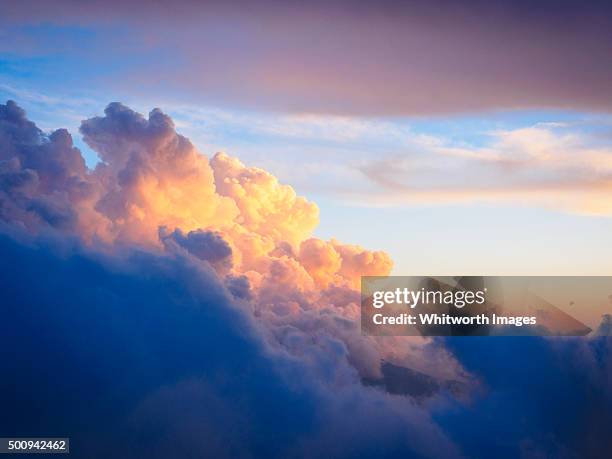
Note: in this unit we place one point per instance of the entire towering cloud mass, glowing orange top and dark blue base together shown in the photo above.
(185, 308)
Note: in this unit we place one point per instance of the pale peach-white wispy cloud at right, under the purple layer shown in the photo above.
(552, 166)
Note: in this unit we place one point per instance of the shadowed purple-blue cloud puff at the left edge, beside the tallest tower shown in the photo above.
(43, 177)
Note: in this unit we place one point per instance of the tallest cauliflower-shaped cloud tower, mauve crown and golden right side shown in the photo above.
(150, 176)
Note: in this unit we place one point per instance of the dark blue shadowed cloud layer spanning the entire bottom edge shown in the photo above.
(146, 355)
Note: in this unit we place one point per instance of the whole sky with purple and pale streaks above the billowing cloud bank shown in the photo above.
(484, 128)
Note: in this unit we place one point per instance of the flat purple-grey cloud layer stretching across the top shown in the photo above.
(388, 58)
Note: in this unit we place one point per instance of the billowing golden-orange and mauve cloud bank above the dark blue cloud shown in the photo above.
(154, 189)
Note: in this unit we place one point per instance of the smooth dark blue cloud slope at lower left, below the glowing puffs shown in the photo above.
(146, 354)
